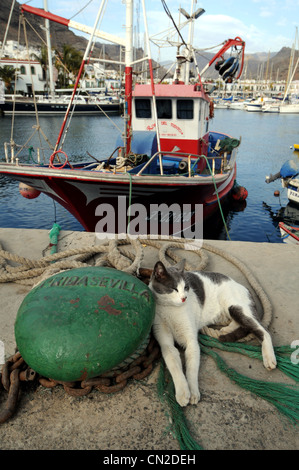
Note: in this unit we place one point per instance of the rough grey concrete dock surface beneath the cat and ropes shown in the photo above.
(227, 417)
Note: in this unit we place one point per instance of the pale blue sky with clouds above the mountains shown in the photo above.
(264, 25)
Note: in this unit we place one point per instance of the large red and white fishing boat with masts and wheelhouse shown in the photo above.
(170, 168)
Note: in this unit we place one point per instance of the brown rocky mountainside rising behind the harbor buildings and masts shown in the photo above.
(256, 65)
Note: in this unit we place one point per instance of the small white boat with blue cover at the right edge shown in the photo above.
(288, 174)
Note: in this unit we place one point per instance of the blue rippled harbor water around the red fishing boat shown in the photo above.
(267, 141)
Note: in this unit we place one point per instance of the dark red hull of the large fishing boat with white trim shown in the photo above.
(100, 201)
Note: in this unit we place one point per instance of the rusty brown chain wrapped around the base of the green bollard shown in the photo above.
(15, 371)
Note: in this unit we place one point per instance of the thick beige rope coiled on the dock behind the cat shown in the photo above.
(117, 253)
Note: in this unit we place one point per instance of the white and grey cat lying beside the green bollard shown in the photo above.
(188, 301)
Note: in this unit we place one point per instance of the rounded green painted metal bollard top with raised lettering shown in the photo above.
(83, 322)
